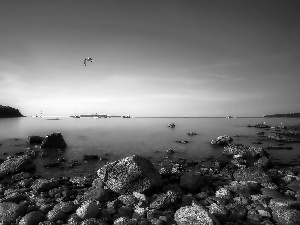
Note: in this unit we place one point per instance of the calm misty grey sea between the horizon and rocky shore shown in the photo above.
(120, 137)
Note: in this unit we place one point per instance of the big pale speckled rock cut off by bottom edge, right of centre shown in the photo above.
(194, 215)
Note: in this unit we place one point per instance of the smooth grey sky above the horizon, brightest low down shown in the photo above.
(151, 57)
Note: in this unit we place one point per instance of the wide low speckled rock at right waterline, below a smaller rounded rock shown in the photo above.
(243, 150)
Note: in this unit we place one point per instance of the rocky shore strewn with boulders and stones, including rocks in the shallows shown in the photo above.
(244, 187)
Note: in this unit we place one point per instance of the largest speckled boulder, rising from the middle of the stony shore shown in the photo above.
(134, 173)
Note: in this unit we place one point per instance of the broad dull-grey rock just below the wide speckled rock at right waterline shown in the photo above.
(255, 174)
